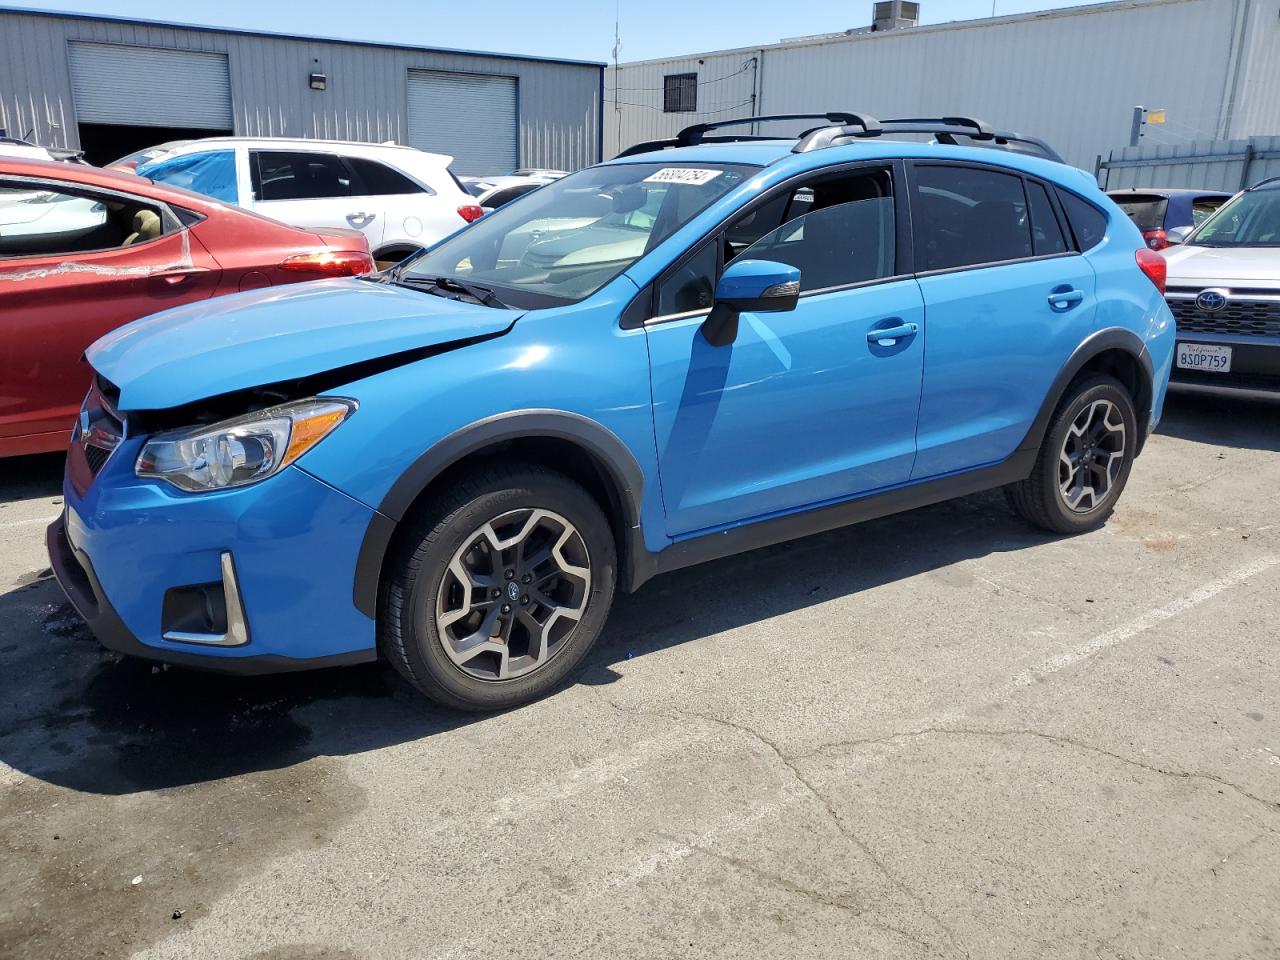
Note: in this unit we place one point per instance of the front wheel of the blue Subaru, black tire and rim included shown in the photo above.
(499, 589)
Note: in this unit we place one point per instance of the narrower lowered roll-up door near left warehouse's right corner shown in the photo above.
(468, 117)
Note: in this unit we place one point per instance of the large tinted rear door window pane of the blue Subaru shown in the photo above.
(964, 217)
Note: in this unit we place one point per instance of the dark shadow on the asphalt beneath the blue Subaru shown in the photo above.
(81, 717)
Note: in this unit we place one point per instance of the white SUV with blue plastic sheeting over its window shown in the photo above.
(400, 198)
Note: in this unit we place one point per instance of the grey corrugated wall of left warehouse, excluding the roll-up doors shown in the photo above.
(367, 97)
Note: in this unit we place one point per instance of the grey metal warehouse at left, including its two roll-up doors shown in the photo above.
(112, 86)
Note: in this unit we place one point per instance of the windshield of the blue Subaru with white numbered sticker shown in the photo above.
(565, 241)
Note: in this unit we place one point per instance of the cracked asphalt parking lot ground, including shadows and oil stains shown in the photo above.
(936, 735)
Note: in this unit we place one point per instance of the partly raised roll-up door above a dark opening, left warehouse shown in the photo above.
(148, 88)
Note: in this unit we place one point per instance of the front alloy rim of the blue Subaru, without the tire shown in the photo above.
(513, 593)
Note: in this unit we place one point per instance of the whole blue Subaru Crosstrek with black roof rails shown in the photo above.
(705, 346)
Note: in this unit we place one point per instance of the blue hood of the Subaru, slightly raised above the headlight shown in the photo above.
(282, 333)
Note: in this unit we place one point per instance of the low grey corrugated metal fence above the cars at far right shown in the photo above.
(1212, 164)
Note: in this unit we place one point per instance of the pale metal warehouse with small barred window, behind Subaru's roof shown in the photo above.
(1071, 76)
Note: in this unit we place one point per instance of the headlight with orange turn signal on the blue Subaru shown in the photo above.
(241, 451)
